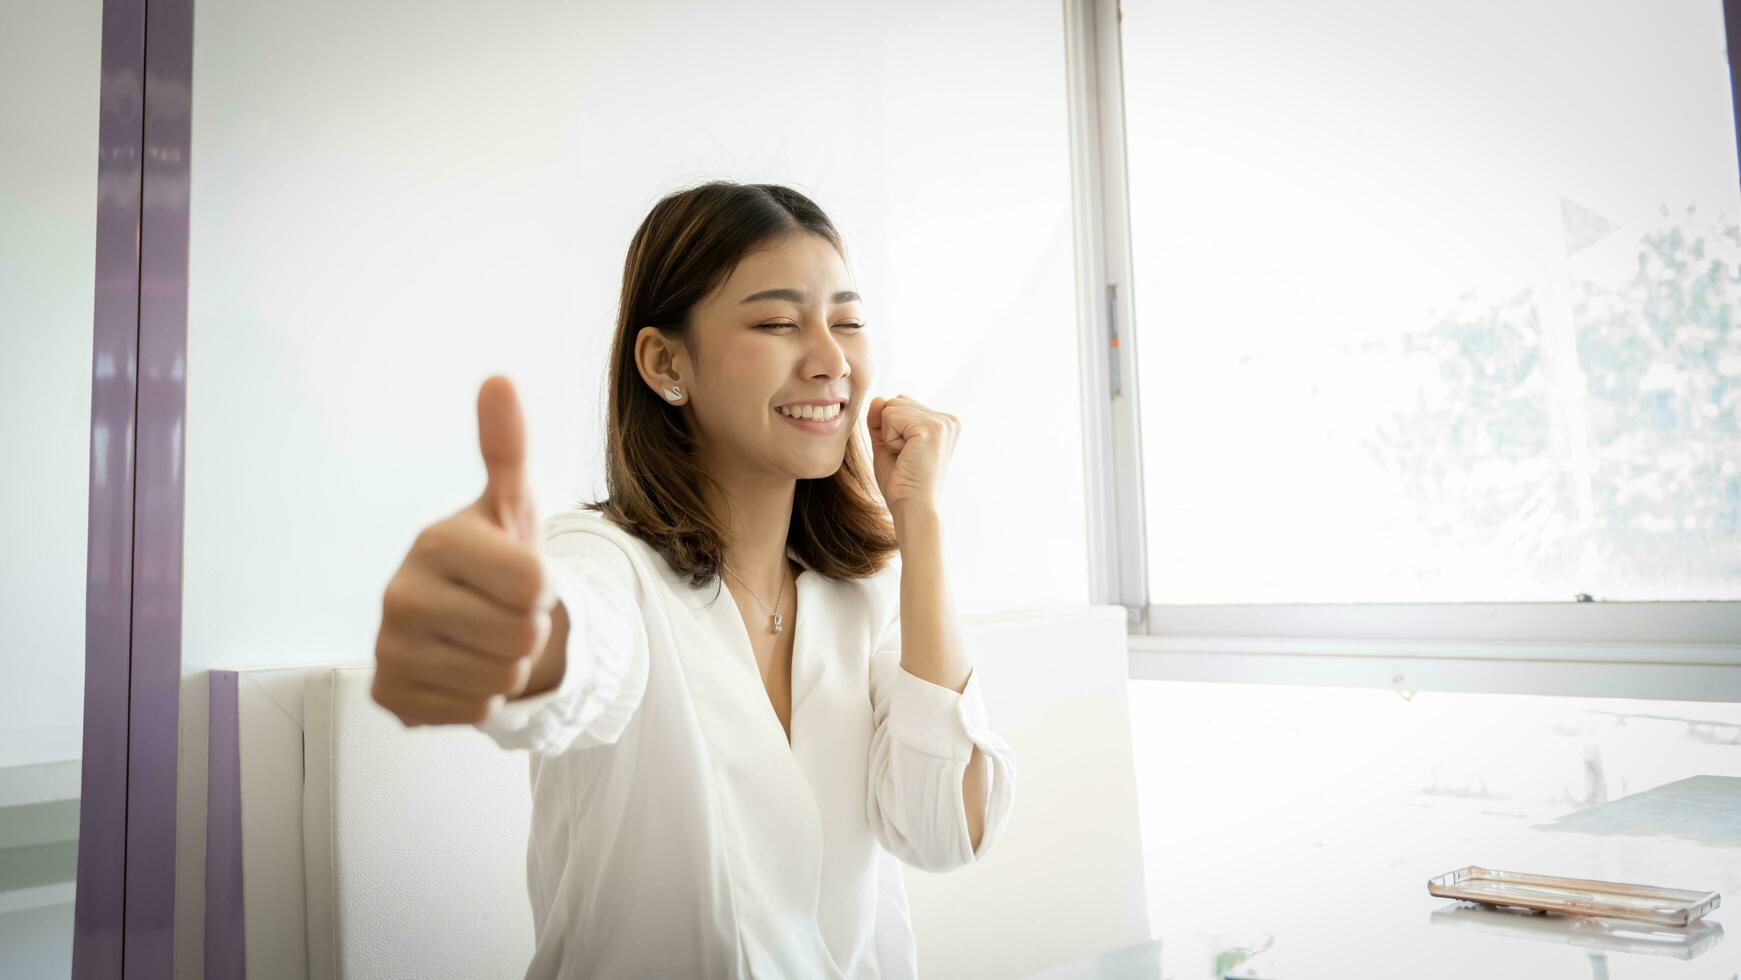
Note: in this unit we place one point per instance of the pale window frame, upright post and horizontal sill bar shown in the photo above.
(1578, 648)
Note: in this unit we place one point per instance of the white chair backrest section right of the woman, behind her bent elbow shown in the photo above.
(1066, 880)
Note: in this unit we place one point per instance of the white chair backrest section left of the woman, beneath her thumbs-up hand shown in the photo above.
(413, 842)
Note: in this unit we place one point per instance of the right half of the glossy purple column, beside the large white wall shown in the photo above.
(156, 683)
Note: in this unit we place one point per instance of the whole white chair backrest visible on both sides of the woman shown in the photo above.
(353, 868)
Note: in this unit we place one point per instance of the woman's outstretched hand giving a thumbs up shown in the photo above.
(469, 619)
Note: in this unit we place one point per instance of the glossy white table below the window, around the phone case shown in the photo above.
(1336, 885)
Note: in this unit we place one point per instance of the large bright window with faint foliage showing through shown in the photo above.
(1434, 326)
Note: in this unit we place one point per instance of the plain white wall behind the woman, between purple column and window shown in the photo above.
(394, 201)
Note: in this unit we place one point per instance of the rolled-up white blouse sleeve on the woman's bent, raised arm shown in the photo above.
(920, 749)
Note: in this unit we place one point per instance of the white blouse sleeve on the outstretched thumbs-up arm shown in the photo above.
(607, 671)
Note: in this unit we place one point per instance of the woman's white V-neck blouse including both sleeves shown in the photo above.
(676, 833)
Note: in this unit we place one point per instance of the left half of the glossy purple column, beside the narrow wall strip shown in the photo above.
(100, 896)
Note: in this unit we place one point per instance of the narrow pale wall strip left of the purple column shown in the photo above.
(50, 60)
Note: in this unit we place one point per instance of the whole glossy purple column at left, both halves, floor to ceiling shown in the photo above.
(124, 915)
